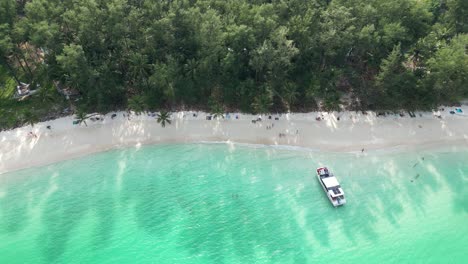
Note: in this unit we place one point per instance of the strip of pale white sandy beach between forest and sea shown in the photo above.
(351, 133)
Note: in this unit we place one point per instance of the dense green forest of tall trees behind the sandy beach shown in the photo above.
(248, 55)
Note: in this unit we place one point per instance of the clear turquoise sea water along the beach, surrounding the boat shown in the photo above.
(220, 203)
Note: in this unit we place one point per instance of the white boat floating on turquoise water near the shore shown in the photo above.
(331, 186)
